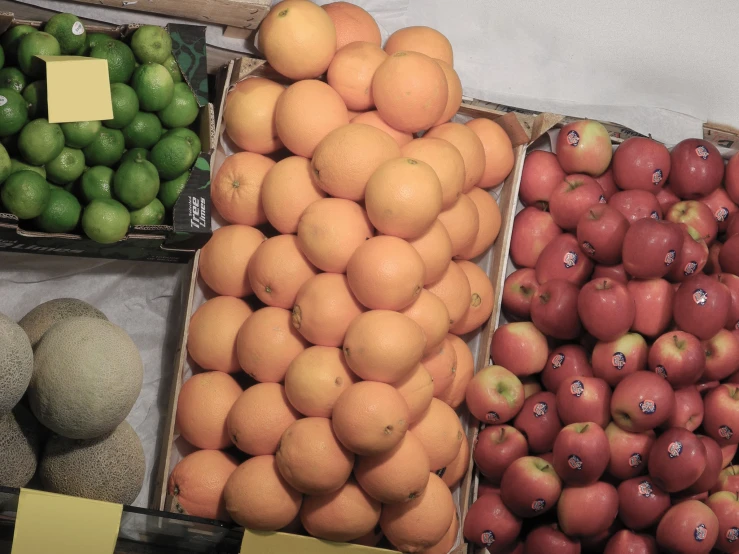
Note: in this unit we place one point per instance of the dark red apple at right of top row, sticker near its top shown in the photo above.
(697, 168)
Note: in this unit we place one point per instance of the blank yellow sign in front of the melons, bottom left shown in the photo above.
(53, 523)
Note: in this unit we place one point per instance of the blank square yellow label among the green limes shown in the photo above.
(78, 89)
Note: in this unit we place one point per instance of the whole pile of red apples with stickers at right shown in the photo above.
(611, 414)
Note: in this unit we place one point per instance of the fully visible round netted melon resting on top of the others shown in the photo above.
(86, 378)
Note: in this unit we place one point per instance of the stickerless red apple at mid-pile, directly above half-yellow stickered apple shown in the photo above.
(606, 309)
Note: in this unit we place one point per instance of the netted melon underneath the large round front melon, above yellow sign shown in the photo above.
(109, 468)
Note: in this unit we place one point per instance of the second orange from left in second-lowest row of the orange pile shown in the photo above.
(259, 417)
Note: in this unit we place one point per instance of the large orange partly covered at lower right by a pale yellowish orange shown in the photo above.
(345, 160)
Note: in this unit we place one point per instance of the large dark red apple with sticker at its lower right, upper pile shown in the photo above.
(650, 248)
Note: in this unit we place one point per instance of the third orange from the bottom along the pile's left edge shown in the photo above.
(211, 337)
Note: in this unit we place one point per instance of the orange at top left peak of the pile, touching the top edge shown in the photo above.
(298, 39)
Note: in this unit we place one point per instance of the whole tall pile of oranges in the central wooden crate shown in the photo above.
(347, 319)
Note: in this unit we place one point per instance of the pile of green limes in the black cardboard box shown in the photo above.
(125, 171)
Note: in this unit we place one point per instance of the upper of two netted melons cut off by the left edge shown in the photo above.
(16, 363)
